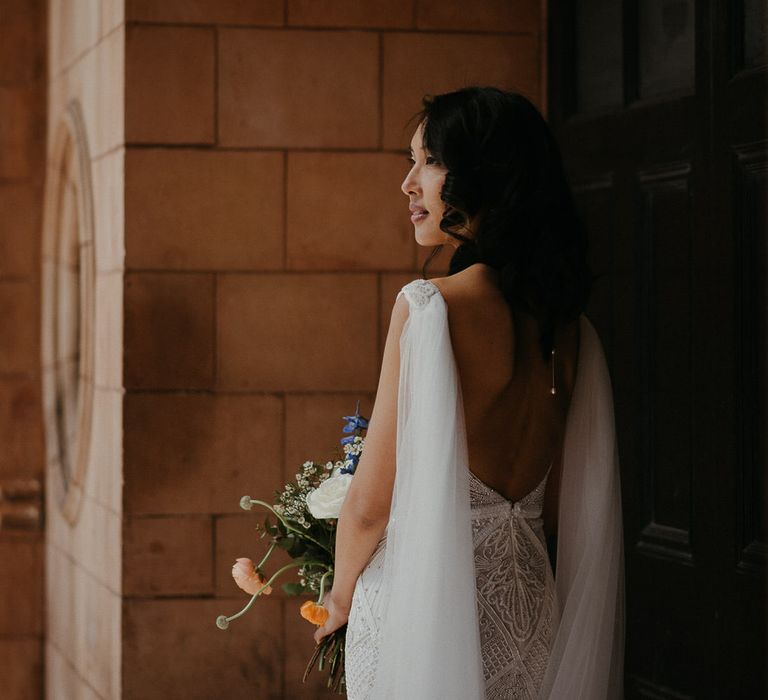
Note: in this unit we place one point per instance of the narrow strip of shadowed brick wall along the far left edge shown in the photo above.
(22, 166)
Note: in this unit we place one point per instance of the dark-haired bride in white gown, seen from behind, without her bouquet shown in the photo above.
(492, 428)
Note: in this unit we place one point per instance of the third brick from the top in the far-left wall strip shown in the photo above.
(20, 222)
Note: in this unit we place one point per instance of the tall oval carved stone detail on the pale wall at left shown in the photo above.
(68, 277)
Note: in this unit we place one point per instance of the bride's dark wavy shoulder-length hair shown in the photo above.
(504, 170)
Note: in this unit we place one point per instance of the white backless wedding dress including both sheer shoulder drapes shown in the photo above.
(458, 600)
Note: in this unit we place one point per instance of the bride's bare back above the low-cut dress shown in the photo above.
(515, 426)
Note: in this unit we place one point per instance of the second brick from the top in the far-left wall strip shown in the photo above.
(21, 128)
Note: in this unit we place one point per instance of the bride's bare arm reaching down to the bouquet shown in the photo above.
(365, 512)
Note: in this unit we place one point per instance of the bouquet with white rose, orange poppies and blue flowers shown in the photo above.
(302, 521)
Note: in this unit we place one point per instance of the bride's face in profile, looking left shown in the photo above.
(422, 186)
